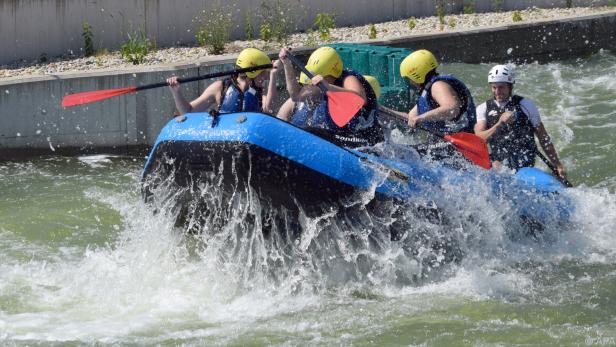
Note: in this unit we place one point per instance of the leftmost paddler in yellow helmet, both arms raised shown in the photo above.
(241, 92)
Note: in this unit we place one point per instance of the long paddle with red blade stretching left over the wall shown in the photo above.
(88, 97)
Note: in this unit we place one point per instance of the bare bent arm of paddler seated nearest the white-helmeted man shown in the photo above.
(448, 101)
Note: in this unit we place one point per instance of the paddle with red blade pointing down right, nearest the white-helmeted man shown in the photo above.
(471, 146)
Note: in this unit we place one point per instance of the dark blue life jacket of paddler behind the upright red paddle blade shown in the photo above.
(362, 130)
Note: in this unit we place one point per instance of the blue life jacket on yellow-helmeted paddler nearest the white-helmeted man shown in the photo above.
(467, 118)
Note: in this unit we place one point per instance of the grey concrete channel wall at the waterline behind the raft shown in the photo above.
(33, 122)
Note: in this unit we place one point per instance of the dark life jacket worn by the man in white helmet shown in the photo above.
(513, 143)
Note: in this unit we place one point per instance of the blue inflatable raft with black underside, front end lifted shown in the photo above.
(289, 167)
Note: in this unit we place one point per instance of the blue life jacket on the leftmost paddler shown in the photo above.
(234, 100)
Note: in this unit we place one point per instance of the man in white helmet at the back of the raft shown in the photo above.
(509, 123)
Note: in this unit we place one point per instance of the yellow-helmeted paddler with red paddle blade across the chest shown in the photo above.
(307, 106)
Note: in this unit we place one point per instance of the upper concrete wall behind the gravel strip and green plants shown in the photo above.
(31, 28)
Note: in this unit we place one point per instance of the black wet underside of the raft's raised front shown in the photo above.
(232, 166)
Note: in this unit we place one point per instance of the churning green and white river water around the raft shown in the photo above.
(83, 261)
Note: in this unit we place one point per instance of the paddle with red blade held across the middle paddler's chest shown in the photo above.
(342, 105)
